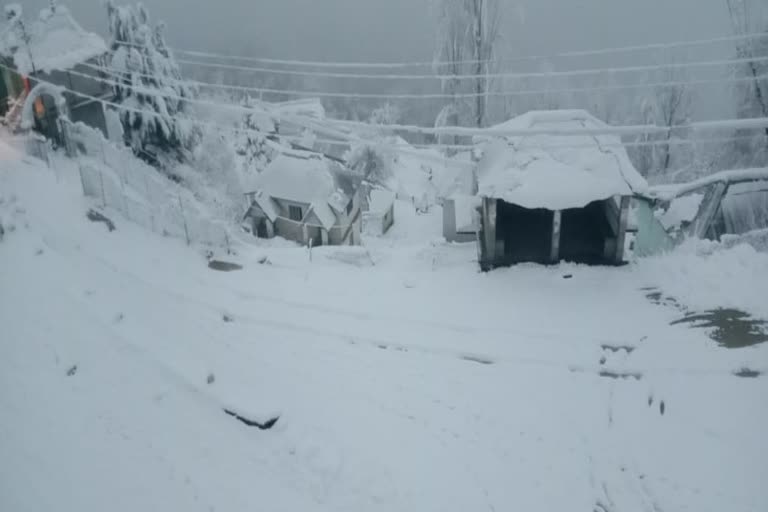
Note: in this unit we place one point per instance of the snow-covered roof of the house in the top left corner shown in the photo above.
(57, 41)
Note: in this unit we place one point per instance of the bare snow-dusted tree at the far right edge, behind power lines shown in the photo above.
(751, 91)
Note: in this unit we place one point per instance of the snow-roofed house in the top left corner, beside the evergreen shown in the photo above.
(55, 49)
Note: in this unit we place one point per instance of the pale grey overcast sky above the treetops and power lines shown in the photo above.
(397, 30)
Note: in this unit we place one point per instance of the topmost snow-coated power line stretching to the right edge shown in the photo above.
(400, 65)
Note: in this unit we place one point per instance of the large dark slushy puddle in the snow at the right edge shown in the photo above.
(731, 328)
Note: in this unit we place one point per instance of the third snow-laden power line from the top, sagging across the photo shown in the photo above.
(441, 96)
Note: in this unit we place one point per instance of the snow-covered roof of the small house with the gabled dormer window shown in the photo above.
(304, 177)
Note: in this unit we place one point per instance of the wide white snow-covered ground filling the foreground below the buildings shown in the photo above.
(402, 377)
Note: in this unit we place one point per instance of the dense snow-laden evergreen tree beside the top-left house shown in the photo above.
(151, 85)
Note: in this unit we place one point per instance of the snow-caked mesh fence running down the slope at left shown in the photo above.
(120, 181)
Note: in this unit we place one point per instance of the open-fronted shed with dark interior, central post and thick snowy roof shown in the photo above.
(554, 194)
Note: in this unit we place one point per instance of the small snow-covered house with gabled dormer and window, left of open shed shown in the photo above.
(305, 197)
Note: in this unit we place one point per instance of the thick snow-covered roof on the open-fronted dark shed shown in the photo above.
(556, 171)
